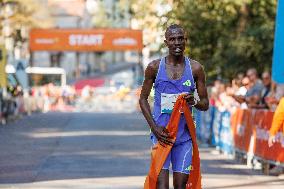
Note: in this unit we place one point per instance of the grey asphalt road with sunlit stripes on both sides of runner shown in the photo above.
(98, 150)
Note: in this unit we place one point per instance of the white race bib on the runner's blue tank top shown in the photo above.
(168, 102)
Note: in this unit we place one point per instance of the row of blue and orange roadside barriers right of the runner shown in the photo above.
(245, 131)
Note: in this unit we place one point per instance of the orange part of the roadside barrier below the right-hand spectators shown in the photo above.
(251, 132)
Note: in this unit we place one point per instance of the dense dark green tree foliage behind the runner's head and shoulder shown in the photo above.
(227, 36)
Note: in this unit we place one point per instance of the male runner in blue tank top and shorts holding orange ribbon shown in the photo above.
(173, 75)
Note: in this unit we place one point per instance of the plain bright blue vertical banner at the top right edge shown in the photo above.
(278, 53)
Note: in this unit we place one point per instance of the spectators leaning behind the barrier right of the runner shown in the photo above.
(246, 91)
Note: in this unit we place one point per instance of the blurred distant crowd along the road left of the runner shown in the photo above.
(18, 102)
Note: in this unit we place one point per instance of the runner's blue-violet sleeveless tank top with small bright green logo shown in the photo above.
(164, 85)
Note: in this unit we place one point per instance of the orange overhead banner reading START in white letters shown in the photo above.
(86, 40)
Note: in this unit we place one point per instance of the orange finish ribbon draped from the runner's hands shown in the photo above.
(160, 153)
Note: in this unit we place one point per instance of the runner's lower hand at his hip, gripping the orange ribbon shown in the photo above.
(163, 136)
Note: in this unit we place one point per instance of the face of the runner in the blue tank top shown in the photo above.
(175, 40)
